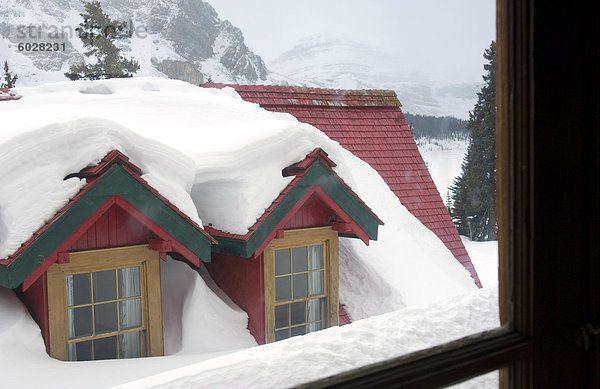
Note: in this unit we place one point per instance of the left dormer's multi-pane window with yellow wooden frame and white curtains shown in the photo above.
(105, 304)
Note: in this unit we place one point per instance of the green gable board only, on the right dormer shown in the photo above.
(317, 175)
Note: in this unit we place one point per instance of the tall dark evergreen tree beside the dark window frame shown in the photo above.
(474, 191)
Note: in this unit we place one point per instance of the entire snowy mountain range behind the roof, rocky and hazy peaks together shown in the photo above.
(186, 39)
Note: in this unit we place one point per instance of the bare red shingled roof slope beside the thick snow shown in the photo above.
(371, 125)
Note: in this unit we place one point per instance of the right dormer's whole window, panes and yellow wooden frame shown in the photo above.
(301, 288)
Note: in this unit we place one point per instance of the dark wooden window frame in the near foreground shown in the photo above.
(548, 177)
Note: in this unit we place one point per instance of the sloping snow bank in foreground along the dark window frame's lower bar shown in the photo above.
(317, 355)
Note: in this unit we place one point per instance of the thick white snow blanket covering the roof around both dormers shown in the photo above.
(215, 157)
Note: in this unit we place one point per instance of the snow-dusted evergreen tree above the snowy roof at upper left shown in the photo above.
(99, 33)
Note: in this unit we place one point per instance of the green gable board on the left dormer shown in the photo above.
(119, 182)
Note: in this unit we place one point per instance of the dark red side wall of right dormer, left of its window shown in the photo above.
(242, 280)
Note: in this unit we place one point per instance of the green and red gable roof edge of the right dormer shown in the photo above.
(313, 176)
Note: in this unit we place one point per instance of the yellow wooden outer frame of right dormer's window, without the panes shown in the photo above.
(299, 238)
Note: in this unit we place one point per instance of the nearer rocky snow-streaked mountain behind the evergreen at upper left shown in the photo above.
(177, 38)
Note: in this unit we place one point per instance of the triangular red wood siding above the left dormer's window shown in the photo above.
(113, 229)
